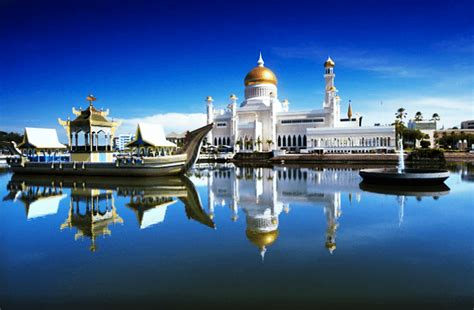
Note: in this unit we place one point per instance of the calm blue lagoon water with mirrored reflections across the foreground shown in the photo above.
(233, 237)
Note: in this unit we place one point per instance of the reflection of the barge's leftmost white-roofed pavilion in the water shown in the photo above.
(39, 200)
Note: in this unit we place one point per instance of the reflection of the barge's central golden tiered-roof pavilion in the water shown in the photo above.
(91, 212)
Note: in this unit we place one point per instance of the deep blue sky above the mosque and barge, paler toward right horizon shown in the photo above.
(142, 58)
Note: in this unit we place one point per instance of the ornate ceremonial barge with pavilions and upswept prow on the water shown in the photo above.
(90, 137)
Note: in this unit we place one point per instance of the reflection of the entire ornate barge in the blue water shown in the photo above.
(92, 210)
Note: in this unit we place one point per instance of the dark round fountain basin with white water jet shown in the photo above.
(404, 176)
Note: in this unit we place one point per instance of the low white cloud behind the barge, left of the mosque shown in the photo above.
(177, 122)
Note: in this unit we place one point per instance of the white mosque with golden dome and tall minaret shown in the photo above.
(261, 122)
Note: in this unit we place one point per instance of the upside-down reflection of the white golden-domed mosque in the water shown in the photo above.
(263, 194)
